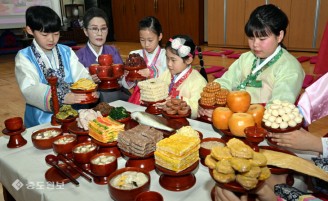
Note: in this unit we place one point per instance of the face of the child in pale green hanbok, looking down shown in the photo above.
(263, 47)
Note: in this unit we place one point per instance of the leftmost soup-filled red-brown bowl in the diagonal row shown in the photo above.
(45, 142)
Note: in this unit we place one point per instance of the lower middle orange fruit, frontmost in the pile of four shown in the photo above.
(238, 122)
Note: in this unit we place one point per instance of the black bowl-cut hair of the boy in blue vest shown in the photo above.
(42, 18)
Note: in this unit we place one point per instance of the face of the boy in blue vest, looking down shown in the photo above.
(47, 41)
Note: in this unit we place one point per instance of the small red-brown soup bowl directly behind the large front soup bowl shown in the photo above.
(104, 169)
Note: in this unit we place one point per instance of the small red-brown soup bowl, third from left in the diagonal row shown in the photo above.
(84, 157)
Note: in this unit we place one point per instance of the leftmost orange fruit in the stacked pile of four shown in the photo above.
(220, 118)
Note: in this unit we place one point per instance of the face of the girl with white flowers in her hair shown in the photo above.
(175, 63)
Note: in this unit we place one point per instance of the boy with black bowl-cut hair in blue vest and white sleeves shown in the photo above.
(42, 59)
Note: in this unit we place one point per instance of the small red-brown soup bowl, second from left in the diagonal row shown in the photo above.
(61, 147)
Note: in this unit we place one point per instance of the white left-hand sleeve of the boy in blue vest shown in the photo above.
(34, 91)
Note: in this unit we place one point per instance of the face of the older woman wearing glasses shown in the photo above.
(96, 31)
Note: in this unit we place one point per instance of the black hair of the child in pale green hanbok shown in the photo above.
(265, 20)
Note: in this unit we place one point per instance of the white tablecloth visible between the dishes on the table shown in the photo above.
(27, 165)
